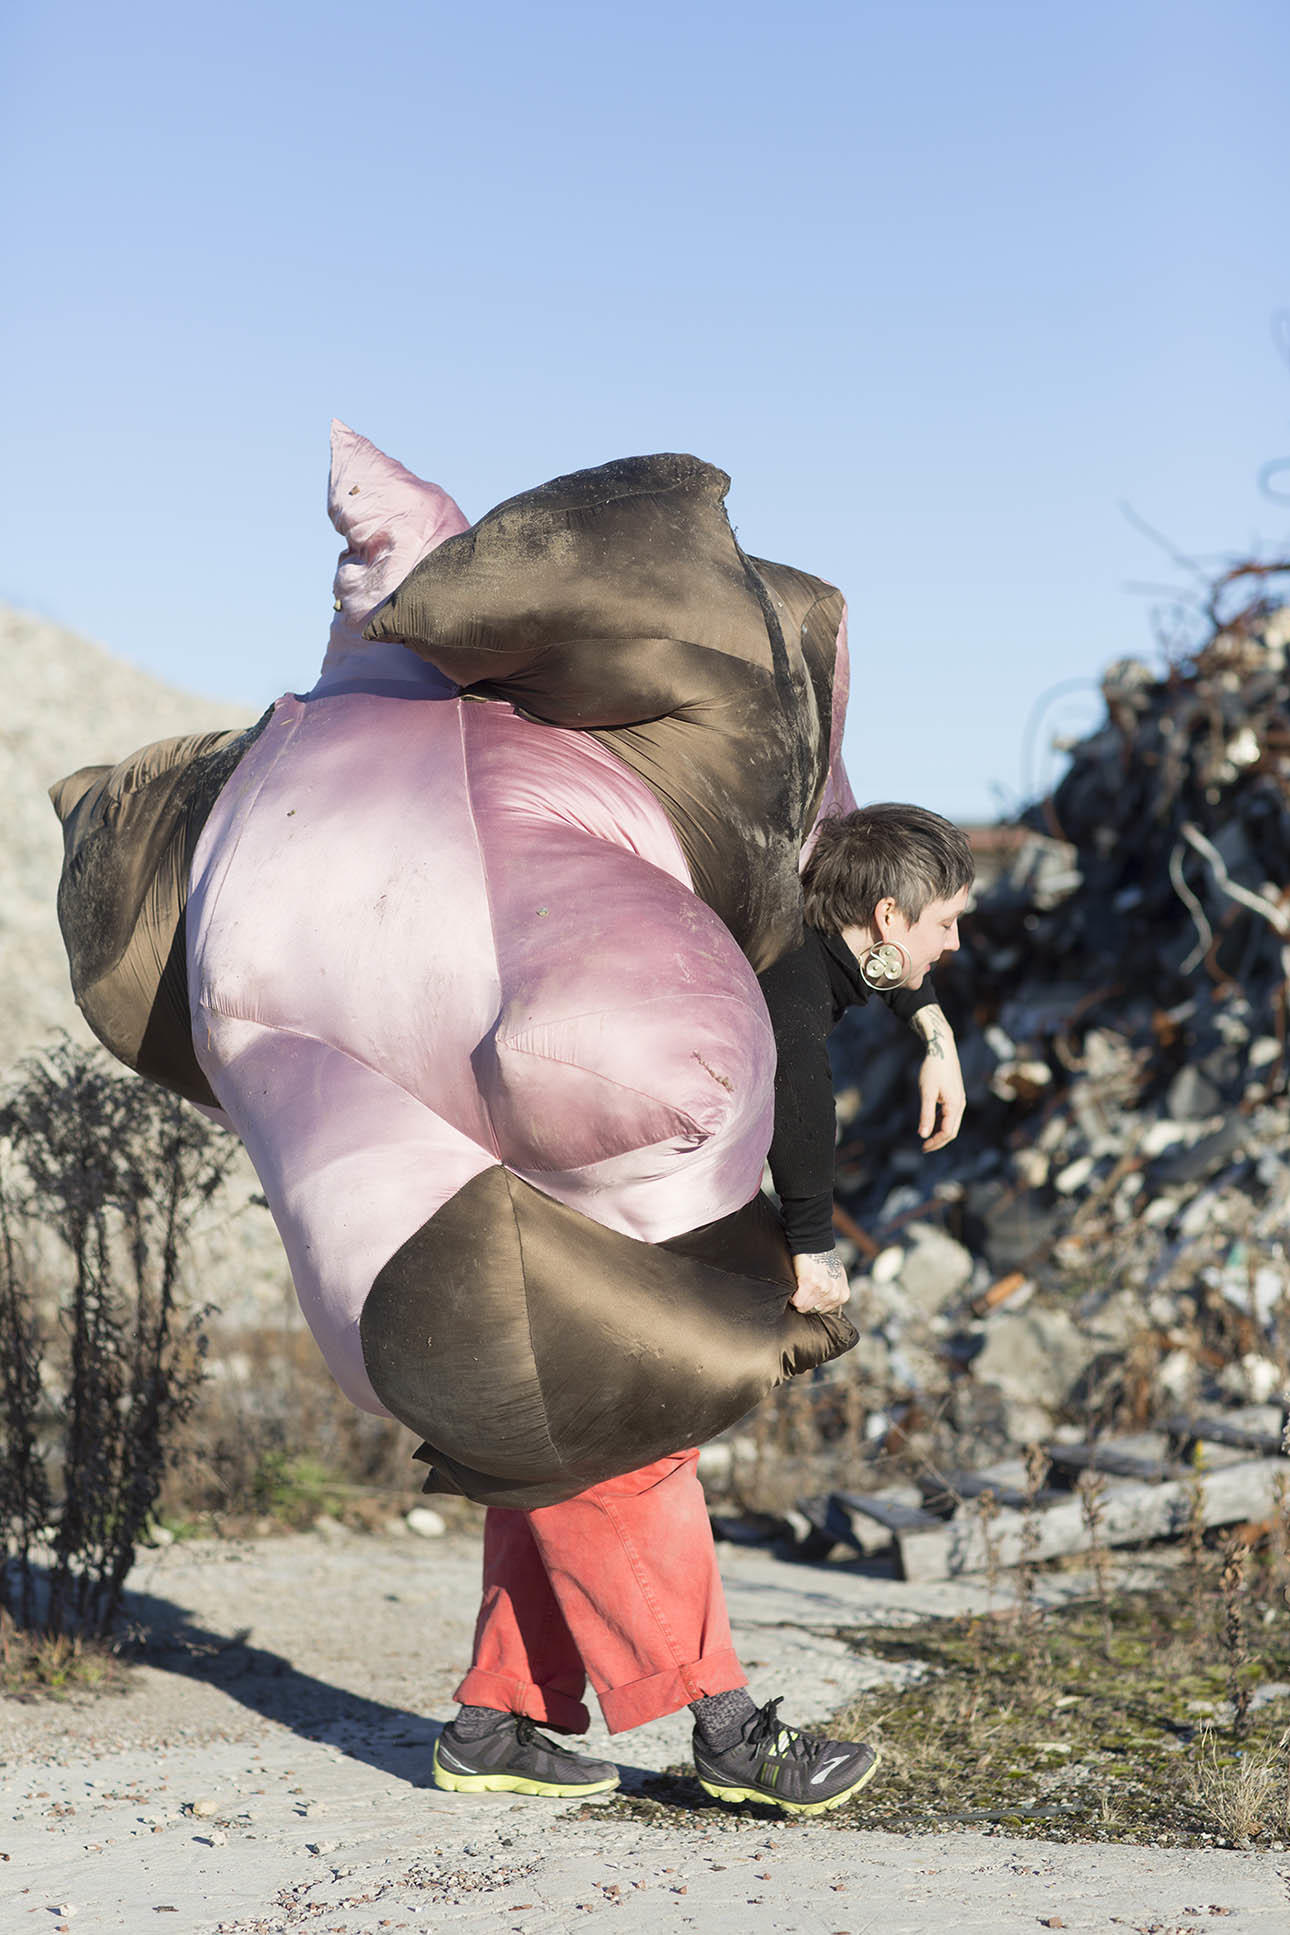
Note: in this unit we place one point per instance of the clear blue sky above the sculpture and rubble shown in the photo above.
(941, 285)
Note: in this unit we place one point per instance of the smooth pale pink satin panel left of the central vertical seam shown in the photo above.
(339, 893)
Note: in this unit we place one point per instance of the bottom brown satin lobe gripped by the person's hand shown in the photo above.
(541, 1354)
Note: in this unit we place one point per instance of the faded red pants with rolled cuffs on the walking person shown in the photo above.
(618, 1586)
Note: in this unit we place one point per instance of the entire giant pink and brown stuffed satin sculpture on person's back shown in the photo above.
(465, 945)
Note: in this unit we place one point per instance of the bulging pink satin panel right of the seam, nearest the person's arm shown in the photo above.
(631, 1067)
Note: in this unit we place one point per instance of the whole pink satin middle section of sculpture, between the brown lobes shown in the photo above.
(428, 936)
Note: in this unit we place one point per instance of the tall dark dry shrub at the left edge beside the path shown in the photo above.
(96, 1388)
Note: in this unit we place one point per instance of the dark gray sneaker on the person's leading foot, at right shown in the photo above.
(784, 1768)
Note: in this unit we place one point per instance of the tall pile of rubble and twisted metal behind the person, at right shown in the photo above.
(1109, 1239)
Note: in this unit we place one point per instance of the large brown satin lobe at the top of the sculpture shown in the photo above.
(618, 601)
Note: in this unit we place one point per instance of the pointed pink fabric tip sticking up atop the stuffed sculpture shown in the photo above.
(390, 520)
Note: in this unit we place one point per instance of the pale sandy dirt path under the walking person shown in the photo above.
(268, 1773)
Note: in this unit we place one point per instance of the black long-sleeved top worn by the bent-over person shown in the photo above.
(807, 994)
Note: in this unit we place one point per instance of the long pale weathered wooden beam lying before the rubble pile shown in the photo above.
(1130, 1514)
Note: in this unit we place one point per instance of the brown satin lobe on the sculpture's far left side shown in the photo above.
(129, 843)
